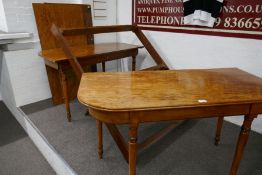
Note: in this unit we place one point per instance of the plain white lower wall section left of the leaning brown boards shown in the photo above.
(27, 76)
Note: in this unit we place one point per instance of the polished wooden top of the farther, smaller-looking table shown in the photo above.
(56, 55)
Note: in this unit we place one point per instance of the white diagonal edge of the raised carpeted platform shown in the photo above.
(59, 165)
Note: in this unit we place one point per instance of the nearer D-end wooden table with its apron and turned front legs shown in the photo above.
(175, 95)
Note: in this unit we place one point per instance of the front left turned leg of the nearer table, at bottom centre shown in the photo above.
(132, 148)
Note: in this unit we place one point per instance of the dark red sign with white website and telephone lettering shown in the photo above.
(239, 18)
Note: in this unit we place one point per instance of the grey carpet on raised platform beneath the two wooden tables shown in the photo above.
(187, 150)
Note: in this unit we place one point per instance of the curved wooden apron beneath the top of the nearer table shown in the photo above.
(123, 117)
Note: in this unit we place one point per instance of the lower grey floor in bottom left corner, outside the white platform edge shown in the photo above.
(18, 155)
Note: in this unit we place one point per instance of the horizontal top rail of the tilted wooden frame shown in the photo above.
(97, 29)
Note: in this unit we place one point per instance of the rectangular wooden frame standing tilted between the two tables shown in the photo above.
(79, 71)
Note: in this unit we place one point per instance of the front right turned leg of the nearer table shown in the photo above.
(242, 141)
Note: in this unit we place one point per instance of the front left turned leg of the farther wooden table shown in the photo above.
(63, 81)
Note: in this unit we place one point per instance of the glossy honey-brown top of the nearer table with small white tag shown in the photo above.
(127, 91)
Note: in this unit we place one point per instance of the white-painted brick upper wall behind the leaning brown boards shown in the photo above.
(20, 16)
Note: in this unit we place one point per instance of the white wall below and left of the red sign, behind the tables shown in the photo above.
(182, 51)
